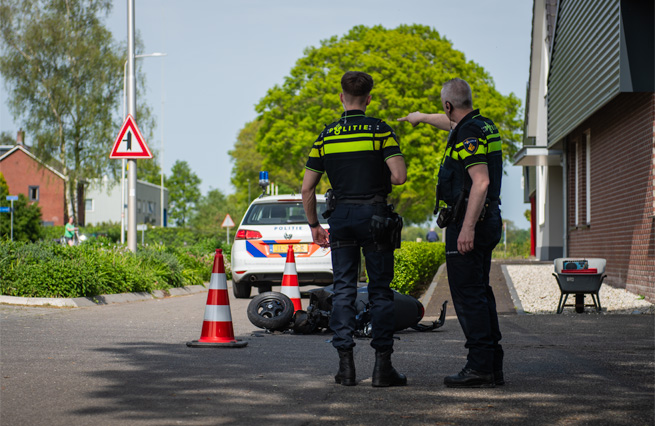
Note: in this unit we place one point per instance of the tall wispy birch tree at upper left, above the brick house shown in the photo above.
(65, 78)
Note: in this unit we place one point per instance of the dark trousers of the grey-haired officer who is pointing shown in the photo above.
(473, 298)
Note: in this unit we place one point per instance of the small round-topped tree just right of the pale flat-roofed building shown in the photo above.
(183, 192)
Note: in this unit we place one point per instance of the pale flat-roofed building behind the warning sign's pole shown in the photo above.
(103, 203)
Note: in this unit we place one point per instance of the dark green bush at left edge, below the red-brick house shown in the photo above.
(27, 217)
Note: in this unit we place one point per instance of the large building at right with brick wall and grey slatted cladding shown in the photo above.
(589, 140)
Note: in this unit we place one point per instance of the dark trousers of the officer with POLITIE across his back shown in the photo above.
(349, 225)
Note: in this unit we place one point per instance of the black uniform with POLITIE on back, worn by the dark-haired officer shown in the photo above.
(353, 152)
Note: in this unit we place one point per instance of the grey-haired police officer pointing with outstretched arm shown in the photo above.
(471, 173)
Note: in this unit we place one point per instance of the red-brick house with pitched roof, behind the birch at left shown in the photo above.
(25, 174)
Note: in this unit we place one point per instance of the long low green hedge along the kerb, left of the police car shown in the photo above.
(47, 269)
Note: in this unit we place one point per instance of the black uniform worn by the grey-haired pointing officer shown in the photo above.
(475, 140)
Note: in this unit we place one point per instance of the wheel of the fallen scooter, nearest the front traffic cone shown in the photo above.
(271, 311)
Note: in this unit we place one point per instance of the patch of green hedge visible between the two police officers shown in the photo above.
(416, 264)
